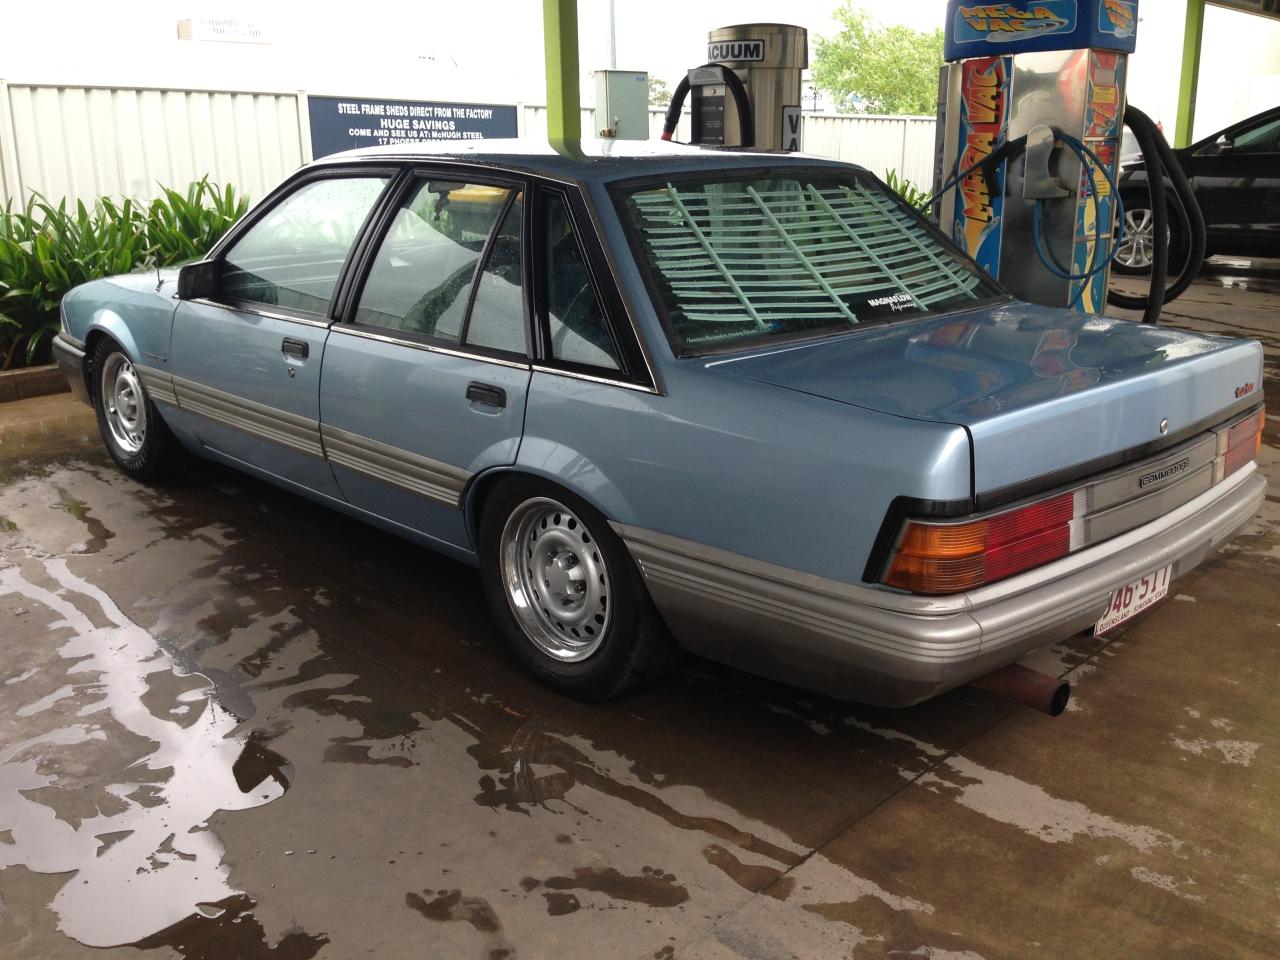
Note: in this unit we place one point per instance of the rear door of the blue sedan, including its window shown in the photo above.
(426, 378)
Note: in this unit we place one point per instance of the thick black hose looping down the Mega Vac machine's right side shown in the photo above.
(1162, 162)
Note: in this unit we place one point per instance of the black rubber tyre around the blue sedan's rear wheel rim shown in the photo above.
(632, 650)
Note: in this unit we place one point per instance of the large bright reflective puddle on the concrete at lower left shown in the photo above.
(143, 839)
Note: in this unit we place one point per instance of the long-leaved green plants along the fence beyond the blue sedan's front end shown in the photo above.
(48, 250)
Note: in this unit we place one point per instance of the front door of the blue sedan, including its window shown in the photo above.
(246, 364)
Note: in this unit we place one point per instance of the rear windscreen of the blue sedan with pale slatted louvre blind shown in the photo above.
(737, 262)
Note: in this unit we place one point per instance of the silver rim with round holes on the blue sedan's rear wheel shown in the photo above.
(556, 579)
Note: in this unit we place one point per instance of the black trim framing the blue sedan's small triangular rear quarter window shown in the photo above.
(634, 371)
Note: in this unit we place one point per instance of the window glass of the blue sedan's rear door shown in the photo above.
(422, 278)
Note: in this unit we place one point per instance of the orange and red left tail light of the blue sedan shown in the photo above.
(943, 559)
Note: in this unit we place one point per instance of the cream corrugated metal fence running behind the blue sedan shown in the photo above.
(84, 143)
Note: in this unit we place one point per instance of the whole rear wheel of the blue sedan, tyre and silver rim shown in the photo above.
(566, 595)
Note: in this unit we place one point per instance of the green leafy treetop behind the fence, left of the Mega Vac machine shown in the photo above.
(876, 70)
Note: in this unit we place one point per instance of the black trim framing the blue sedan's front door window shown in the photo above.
(348, 172)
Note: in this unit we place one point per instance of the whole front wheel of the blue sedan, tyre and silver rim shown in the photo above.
(136, 437)
